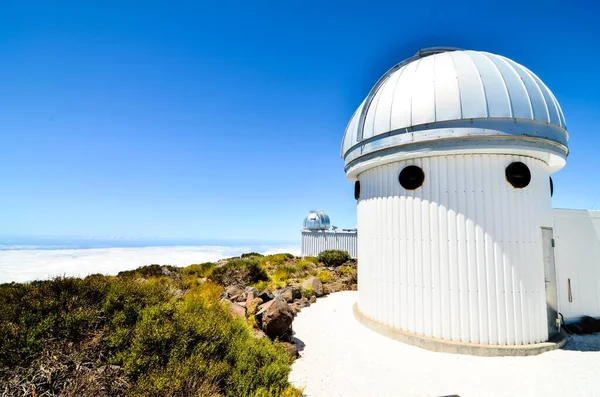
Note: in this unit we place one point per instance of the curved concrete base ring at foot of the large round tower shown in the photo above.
(440, 345)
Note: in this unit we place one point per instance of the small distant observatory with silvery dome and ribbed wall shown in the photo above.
(318, 236)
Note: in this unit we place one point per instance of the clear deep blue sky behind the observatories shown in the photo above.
(224, 119)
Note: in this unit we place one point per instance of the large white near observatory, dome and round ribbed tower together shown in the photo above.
(451, 154)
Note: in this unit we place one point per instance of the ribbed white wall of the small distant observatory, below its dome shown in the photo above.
(314, 242)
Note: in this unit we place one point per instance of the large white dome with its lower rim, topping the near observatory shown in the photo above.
(448, 100)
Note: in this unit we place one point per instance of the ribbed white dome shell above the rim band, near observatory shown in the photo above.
(452, 86)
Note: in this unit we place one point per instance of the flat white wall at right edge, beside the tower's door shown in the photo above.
(577, 252)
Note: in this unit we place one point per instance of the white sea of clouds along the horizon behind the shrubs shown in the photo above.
(23, 265)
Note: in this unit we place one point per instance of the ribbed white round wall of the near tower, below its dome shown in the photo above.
(459, 258)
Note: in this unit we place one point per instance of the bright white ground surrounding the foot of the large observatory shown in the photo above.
(343, 358)
